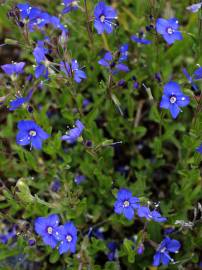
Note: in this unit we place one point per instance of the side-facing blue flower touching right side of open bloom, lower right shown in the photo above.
(144, 211)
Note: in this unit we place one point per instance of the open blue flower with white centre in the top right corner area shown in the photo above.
(169, 29)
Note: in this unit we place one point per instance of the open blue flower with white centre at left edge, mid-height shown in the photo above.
(30, 133)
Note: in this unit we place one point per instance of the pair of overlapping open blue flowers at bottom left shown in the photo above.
(64, 236)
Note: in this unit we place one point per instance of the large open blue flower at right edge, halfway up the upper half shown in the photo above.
(173, 98)
